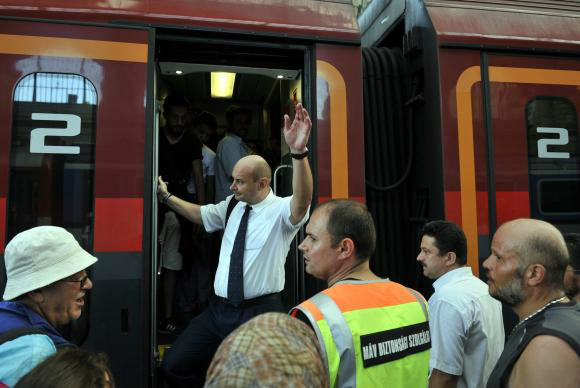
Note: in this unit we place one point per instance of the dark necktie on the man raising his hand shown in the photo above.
(236, 278)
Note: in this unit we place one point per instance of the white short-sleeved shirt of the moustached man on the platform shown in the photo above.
(466, 323)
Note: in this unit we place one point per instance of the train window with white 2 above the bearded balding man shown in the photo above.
(553, 156)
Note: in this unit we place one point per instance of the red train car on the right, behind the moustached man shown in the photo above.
(492, 95)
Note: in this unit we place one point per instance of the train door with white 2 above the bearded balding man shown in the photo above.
(533, 105)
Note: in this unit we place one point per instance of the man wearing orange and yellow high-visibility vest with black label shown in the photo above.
(373, 332)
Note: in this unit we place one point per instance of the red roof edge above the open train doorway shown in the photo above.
(309, 18)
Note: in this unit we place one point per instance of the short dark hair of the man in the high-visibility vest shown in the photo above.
(351, 219)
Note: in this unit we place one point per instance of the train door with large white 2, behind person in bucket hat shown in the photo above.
(72, 144)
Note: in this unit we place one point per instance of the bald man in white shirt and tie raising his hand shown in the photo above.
(272, 223)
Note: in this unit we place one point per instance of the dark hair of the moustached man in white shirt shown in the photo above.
(449, 237)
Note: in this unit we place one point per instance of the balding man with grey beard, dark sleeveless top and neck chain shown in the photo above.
(526, 270)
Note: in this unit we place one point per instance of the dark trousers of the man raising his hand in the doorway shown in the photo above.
(185, 364)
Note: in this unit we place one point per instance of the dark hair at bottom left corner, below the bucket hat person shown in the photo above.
(70, 368)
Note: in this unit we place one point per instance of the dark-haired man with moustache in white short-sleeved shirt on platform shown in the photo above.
(466, 323)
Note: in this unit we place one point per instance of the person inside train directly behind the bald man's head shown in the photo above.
(231, 148)
